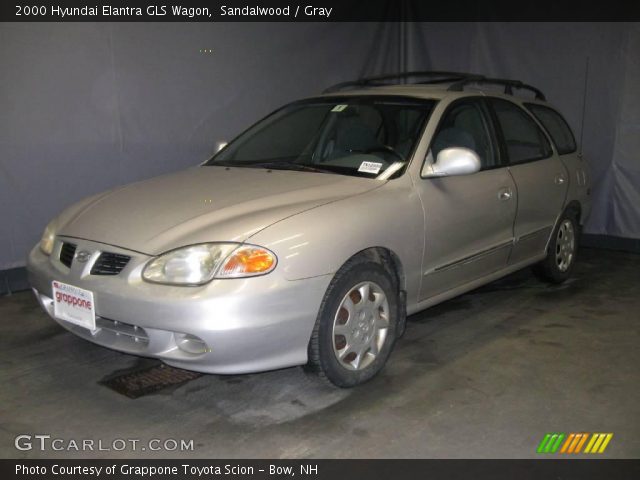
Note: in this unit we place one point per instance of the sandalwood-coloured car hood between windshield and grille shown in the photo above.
(202, 204)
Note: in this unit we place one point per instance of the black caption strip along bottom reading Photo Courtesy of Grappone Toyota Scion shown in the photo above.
(339, 469)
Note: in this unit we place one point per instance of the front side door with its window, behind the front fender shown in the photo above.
(468, 218)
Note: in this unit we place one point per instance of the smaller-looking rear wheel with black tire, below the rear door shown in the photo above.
(561, 255)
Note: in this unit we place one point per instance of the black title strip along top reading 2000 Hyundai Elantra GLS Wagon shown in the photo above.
(341, 11)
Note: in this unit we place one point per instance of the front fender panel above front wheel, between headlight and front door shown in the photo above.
(319, 241)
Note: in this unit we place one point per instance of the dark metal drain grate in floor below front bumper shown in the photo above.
(135, 384)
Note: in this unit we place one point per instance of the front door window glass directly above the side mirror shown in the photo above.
(465, 125)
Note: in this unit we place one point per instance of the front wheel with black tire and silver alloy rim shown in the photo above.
(325, 343)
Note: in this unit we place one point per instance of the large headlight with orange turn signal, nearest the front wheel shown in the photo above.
(202, 263)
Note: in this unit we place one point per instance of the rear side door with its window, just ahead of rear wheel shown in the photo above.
(539, 175)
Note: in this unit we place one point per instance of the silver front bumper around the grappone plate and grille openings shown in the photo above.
(226, 326)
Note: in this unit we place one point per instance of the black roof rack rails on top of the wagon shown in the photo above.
(457, 80)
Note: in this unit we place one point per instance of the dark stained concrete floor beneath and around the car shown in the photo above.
(483, 375)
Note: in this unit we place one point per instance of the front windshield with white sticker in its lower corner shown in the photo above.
(370, 137)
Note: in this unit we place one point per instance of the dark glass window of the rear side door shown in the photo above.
(524, 139)
